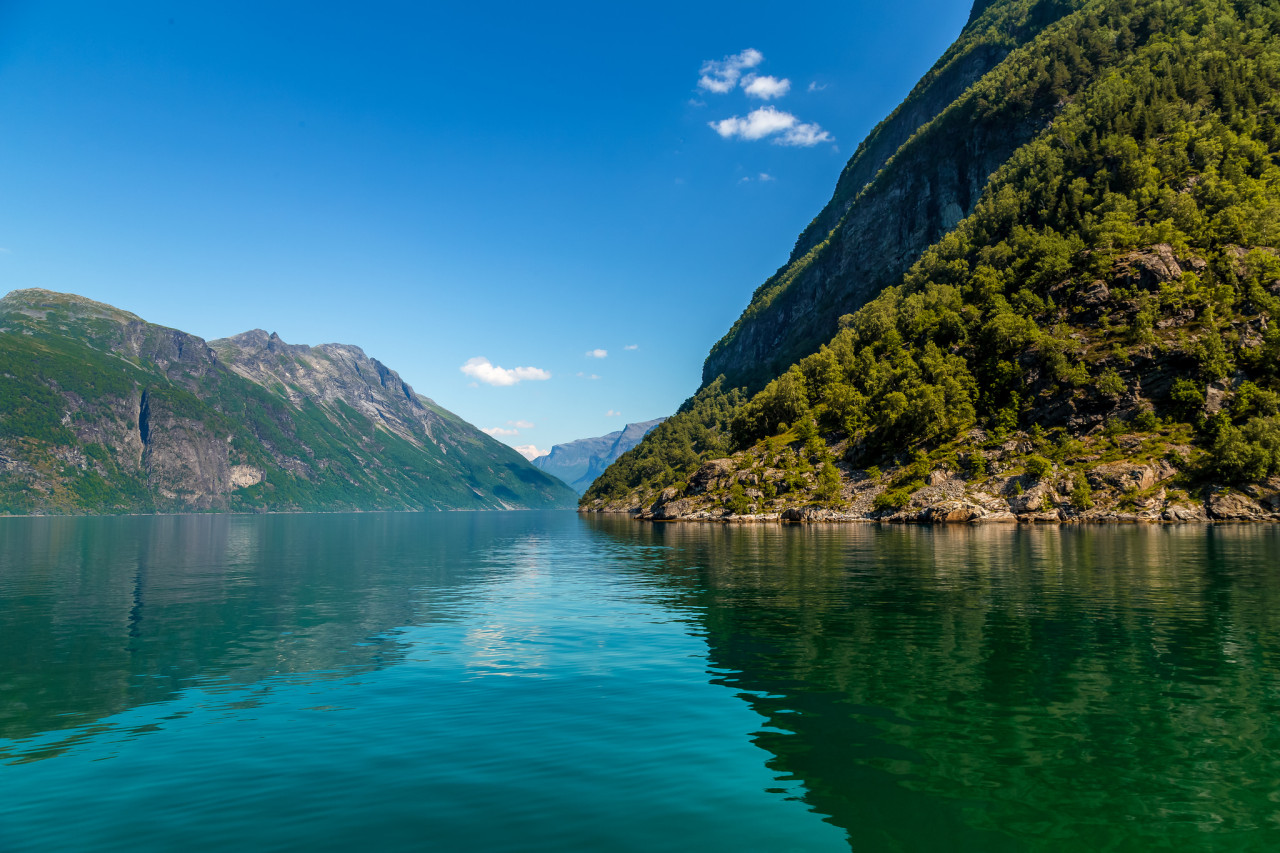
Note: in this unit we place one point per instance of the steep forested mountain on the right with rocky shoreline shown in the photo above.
(1045, 289)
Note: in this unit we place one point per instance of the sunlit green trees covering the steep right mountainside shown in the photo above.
(1116, 267)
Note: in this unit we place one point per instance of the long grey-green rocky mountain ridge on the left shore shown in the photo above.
(102, 412)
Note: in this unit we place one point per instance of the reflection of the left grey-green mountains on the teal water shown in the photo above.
(100, 615)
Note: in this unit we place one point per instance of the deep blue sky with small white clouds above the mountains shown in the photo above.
(541, 216)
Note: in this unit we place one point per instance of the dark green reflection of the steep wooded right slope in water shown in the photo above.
(985, 688)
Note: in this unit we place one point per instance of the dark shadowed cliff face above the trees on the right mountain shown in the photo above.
(895, 198)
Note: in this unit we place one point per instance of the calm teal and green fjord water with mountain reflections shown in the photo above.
(541, 682)
